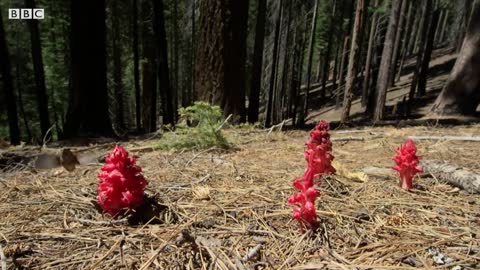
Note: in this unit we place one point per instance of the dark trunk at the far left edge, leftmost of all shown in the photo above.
(7, 84)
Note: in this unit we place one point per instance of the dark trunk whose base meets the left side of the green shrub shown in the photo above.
(162, 63)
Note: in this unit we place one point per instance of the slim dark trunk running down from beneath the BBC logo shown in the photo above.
(36, 47)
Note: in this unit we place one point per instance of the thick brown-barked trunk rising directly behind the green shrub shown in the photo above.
(220, 55)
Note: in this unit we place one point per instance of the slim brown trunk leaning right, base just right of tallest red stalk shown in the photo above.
(352, 73)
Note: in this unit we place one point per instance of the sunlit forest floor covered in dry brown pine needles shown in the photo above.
(228, 210)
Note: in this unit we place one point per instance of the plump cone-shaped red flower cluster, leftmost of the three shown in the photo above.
(121, 184)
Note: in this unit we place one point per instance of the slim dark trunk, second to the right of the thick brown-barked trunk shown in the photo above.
(273, 71)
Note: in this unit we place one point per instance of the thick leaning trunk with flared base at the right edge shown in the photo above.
(461, 94)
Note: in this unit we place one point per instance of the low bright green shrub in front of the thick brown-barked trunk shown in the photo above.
(205, 133)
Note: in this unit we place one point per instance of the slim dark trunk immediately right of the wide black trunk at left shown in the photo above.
(117, 68)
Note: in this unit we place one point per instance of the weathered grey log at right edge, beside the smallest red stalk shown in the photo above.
(453, 175)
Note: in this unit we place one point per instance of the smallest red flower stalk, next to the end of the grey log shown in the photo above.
(407, 162)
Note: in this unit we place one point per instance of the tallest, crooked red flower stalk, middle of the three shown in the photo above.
(319, 162)
